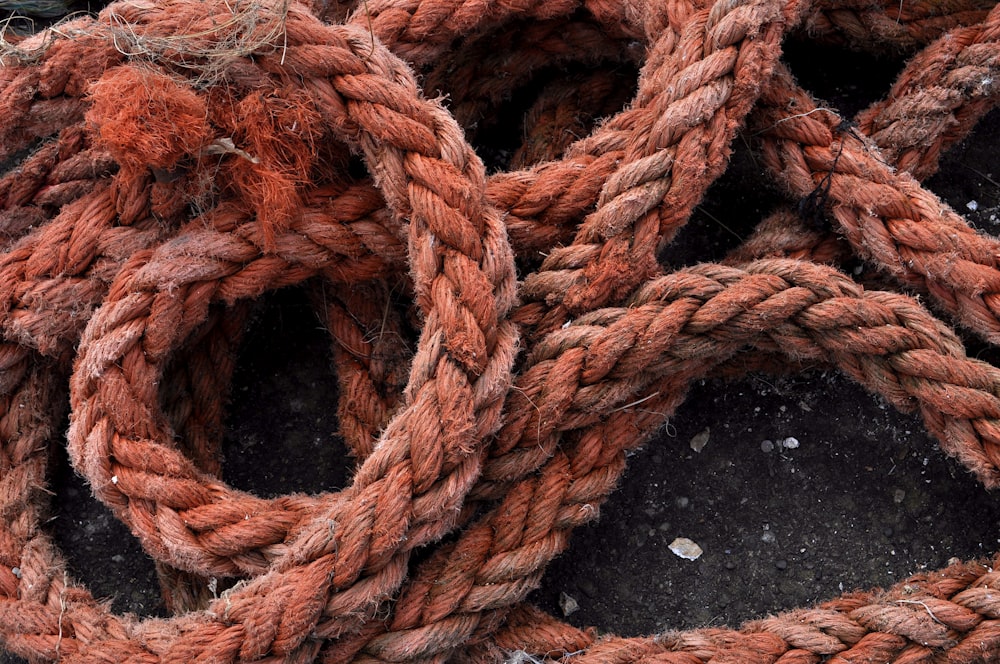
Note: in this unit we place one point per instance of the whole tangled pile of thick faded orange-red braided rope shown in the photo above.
(176, 159)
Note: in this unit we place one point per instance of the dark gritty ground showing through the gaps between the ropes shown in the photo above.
(861, 497)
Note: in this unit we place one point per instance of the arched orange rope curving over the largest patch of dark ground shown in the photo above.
(675, 329)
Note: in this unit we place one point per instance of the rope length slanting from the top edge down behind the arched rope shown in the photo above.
(697, 108)
